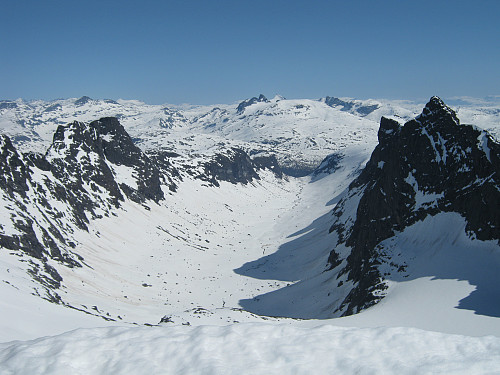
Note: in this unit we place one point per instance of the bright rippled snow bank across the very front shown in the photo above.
(251, 348)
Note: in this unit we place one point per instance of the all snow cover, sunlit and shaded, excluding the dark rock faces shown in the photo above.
(201, 254)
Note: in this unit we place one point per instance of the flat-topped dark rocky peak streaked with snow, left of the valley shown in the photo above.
(98, 164)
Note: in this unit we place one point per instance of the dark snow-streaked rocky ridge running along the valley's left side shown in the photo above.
(87, 173)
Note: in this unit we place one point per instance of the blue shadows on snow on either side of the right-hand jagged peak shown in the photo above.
(437, 248)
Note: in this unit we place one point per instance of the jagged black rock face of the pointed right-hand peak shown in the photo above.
(431, 164)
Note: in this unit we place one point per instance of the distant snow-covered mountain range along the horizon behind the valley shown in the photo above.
(300, 132)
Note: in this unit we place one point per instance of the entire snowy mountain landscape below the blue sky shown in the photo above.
(267, 236)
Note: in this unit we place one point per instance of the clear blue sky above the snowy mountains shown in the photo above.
(207, 52)
